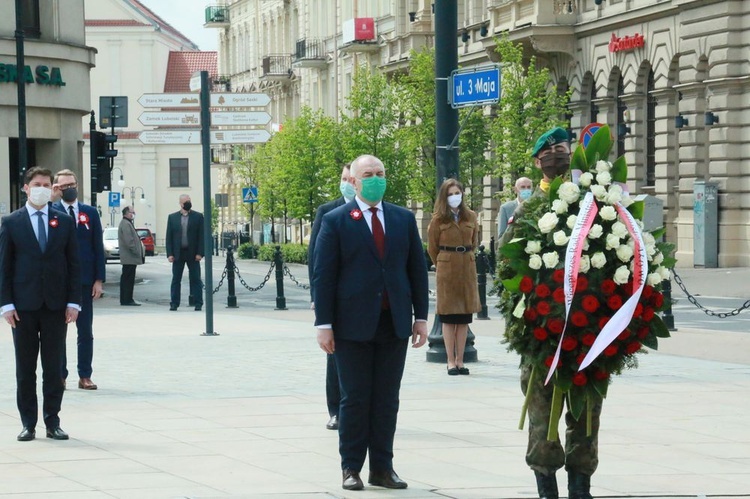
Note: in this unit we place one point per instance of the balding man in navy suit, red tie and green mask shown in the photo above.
(370, 279)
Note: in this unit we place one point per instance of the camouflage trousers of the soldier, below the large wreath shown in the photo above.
(545, 456)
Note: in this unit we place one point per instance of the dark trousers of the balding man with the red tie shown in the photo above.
(370, 379)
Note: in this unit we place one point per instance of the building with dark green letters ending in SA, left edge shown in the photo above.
(56, 78)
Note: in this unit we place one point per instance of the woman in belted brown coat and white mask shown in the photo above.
(453, 237)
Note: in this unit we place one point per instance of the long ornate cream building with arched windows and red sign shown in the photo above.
(670, 77)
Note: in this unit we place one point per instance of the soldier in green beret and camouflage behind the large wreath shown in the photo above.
(580, 455)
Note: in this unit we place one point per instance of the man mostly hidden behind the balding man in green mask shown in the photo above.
(333, 394)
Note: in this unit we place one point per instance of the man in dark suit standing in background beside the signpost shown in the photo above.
(185, 247)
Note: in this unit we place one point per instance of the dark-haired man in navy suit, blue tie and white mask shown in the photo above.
(40, 294)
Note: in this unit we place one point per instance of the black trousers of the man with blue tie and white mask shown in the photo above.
(39, 331)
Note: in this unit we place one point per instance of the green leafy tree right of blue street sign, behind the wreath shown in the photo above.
(529, 106)
